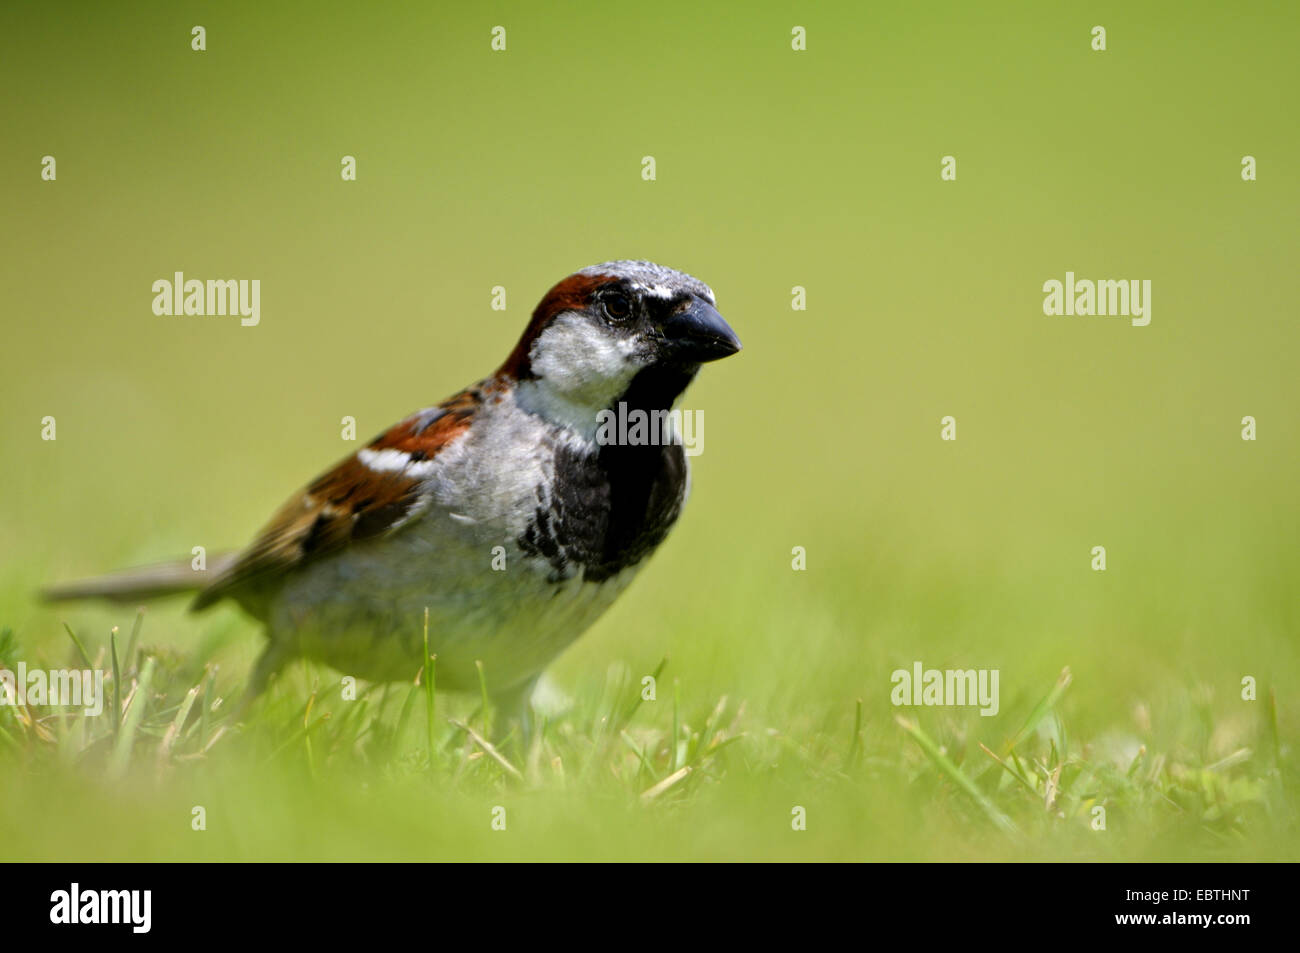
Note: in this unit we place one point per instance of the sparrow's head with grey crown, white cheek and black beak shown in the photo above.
(621, 331)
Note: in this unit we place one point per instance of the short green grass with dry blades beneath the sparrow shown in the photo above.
(404, 773)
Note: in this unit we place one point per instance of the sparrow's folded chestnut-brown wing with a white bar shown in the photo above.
(371, 493)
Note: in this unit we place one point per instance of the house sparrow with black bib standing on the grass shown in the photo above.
(346, 569)
